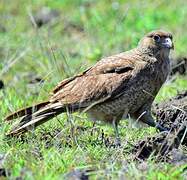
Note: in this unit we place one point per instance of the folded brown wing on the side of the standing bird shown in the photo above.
(97, 84)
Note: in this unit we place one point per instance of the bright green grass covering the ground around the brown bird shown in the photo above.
(86, 31)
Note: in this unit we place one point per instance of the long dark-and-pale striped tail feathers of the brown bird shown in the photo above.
(34, 116)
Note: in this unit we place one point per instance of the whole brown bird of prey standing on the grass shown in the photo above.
(116, 86)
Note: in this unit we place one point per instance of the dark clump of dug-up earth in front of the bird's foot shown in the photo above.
(167, 146)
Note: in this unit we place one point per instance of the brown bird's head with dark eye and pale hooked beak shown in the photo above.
(158, 41)
